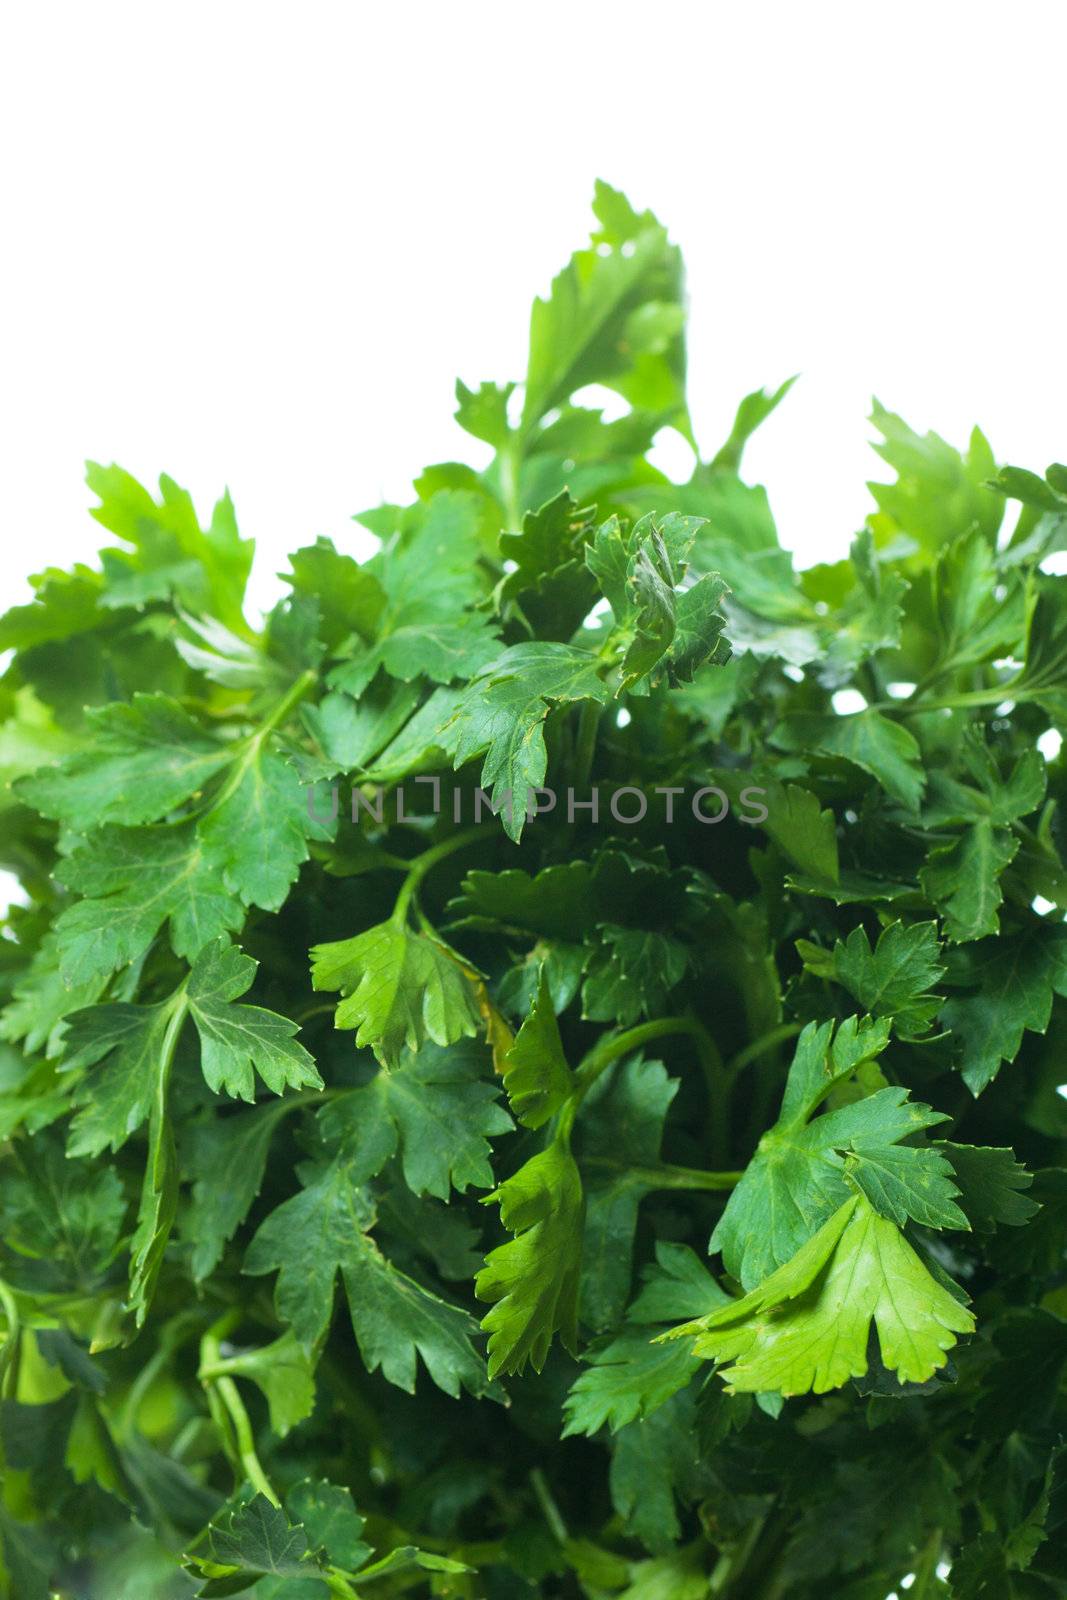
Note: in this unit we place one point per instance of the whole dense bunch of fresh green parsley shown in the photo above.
(535, 1073)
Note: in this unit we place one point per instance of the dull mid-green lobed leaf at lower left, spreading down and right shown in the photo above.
(322, 1233)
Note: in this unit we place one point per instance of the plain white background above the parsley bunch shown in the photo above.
(255, 244)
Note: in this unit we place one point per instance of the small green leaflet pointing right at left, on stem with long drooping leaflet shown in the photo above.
(236, 1039)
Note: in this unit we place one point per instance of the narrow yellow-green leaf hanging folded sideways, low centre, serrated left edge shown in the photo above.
(532, 1281)
